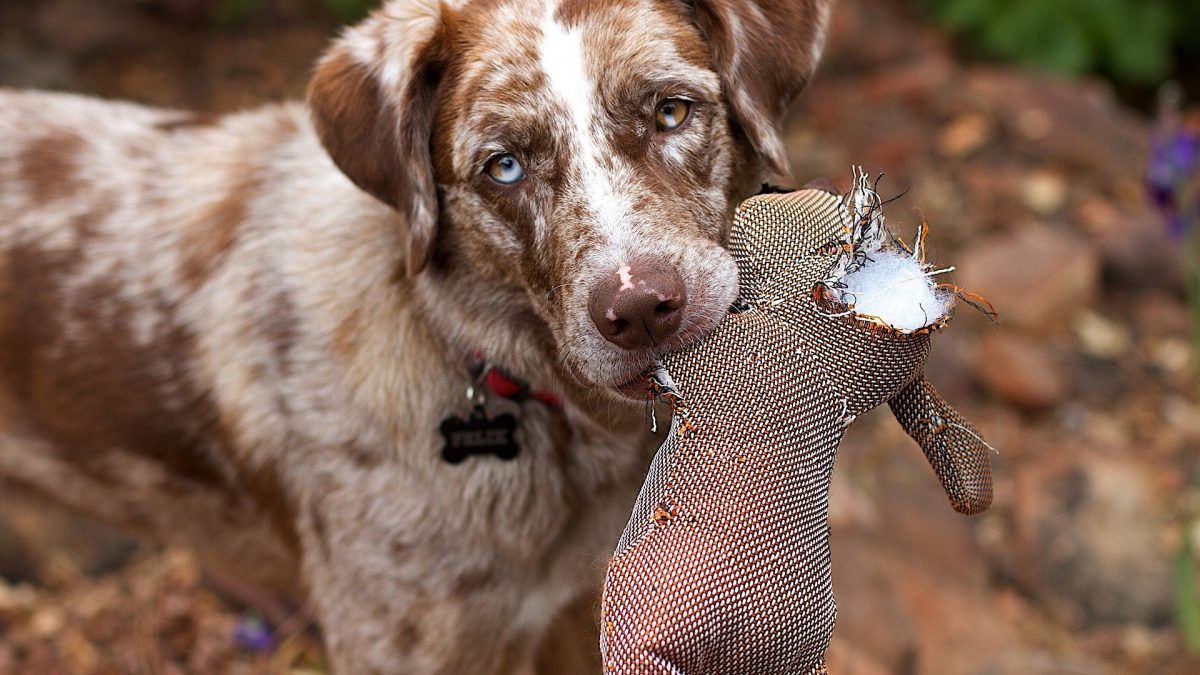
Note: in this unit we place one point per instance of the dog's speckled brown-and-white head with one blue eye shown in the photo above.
(584, 156)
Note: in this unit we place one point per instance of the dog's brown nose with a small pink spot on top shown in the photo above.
(640, 304)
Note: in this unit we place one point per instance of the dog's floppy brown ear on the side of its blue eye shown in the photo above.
(373, 101)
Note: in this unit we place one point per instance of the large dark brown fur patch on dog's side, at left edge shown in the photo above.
(92, 389)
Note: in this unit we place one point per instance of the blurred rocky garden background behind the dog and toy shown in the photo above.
(1055, 170)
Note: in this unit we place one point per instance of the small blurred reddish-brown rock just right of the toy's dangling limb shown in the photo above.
(1024, 373)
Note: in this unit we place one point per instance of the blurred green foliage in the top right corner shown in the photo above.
(1132, 41)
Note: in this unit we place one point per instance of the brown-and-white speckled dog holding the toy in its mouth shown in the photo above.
(243, 334)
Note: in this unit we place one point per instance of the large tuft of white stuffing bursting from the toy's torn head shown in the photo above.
(895, 288)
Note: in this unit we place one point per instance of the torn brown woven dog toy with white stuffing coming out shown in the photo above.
(724, 566)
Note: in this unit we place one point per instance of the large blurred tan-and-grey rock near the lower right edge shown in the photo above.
(1089, 539)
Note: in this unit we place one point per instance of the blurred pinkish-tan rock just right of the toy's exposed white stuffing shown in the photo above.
(1036, 278)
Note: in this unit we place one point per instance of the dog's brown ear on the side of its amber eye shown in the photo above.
(766, 52)
